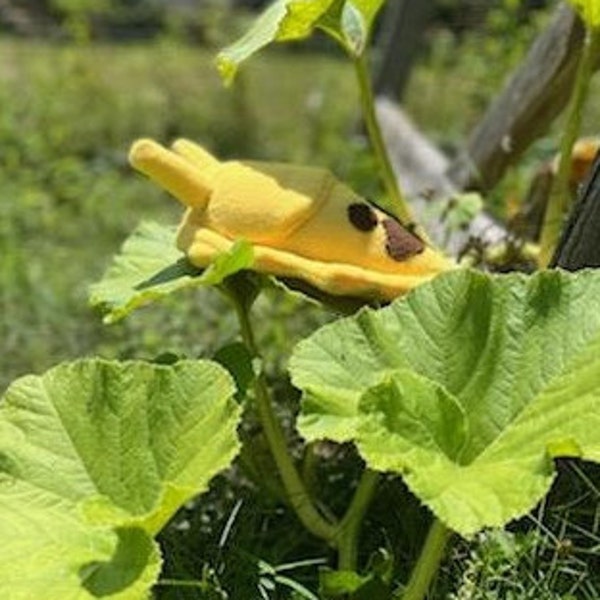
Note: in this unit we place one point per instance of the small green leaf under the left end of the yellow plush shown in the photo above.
(150, 267)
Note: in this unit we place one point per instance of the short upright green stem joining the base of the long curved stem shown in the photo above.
(349, 527)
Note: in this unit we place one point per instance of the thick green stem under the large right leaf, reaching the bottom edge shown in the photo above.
(428, 563)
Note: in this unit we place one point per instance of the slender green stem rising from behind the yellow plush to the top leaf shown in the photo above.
(399, 206)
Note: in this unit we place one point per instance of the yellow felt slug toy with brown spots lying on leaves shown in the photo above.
(302, 222)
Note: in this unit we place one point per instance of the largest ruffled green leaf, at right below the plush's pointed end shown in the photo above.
(467, 387)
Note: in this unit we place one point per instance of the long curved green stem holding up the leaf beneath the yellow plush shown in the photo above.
(297, 494)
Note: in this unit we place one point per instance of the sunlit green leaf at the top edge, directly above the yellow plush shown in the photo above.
(348, 21)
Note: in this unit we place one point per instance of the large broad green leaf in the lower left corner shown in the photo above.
(95, 458)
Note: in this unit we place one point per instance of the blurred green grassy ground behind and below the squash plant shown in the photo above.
(68, 199)
